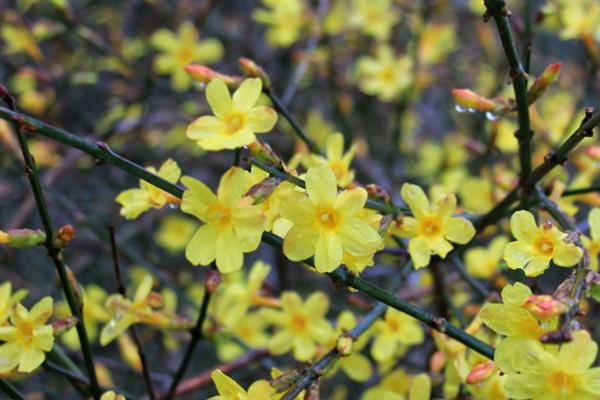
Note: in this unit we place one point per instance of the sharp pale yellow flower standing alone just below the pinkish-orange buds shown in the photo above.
(236, 118)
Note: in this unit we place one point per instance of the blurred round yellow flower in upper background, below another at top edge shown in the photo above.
(384, 75)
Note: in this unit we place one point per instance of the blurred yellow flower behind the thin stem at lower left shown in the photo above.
(94, 312)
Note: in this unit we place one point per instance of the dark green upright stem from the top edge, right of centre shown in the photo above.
(497, 9)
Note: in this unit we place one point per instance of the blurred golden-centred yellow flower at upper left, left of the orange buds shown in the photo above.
(180, 49)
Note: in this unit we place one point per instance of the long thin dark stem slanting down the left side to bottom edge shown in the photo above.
(54, 252)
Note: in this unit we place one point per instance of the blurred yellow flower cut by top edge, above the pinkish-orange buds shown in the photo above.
(284, 19)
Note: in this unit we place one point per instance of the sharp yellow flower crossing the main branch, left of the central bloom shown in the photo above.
(232, 225)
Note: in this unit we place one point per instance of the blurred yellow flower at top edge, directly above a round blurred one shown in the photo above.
(374, 18)
